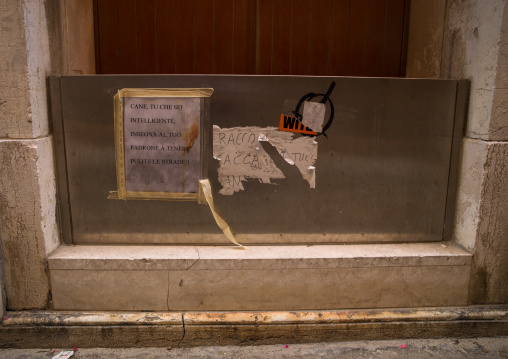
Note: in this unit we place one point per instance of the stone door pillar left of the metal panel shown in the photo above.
(28, 228)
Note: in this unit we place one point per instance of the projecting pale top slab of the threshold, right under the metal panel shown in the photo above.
(165, 257)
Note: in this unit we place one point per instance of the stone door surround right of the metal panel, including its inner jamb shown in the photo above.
(474, 45)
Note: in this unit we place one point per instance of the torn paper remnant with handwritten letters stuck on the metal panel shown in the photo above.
(242, 156)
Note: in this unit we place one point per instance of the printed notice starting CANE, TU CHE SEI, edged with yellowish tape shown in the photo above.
(159, 143)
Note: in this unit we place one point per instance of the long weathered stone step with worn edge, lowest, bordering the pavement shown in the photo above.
(46, 329)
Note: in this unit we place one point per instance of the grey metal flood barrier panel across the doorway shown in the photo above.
(385, 172)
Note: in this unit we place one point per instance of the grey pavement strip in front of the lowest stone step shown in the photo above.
(448, 348)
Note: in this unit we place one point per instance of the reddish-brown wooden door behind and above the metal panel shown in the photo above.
(265, 37)
